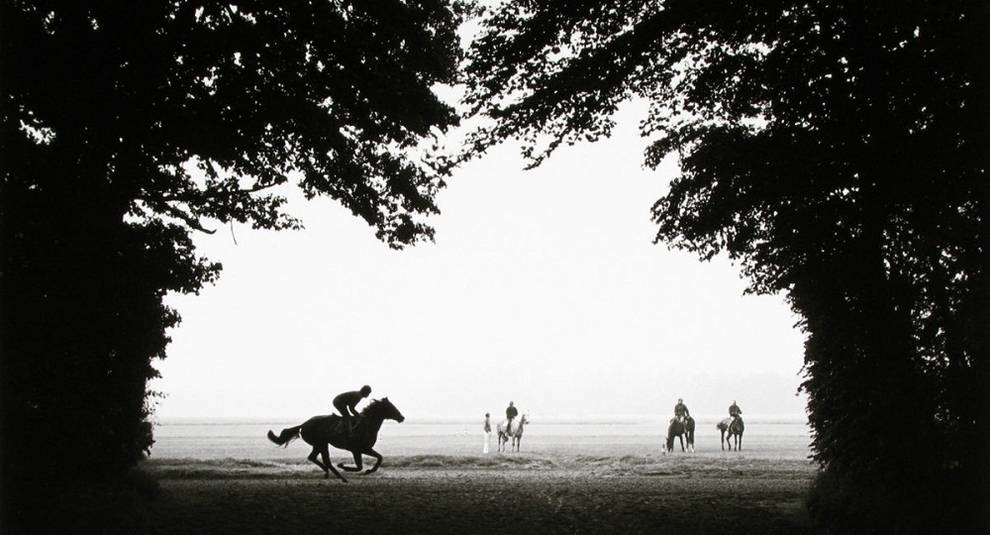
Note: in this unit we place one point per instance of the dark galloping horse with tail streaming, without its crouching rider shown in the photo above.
(323, 431)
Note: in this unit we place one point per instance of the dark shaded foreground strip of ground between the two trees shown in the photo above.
(511, 493)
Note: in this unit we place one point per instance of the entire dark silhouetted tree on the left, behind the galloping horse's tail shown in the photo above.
(128, 125)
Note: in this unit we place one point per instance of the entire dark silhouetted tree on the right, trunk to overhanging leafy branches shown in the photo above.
(838, 152)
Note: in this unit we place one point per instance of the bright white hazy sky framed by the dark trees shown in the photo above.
(543, 287)
